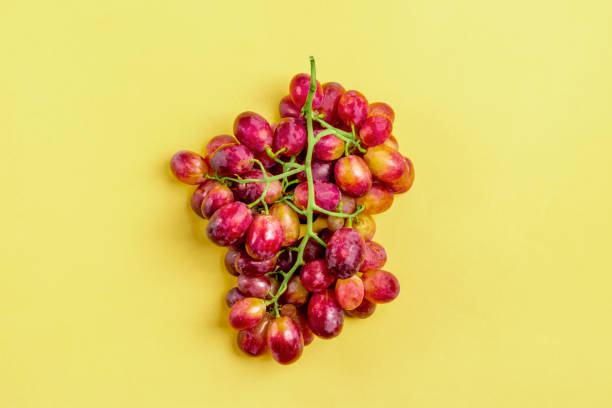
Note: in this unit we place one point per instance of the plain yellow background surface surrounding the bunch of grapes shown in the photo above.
(110, 295)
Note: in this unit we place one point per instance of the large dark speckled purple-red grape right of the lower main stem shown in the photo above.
(345, 252)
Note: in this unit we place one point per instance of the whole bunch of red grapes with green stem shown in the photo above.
(331, 156)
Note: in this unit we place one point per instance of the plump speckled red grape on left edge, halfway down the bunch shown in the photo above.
(229, 224)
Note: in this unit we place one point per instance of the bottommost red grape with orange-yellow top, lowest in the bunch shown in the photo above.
(284, 340)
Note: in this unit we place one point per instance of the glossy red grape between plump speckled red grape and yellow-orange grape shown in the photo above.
(264, 237)
